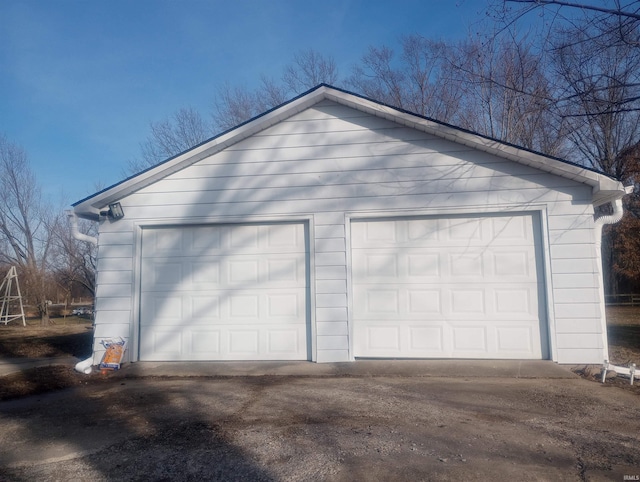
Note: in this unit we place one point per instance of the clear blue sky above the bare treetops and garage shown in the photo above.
(80, 81)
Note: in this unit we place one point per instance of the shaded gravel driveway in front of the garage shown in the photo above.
(324, 428)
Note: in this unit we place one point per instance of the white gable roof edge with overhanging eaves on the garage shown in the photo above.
(605, 188)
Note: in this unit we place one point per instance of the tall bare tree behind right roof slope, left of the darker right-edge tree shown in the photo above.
(507, 95)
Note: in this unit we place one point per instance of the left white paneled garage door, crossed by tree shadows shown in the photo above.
(224, 292)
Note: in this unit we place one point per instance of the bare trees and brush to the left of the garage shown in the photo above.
(36, 238)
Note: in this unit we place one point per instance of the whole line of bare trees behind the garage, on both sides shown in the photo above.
(568, 86)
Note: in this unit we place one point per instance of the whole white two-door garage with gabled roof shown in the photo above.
(334, 228)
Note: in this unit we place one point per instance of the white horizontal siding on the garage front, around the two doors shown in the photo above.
(329, 161)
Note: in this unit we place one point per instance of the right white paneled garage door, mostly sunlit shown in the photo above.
(455, 287)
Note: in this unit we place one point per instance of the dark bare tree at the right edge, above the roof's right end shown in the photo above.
(600, 95)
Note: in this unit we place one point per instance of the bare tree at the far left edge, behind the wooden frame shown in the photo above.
(26, 226)
